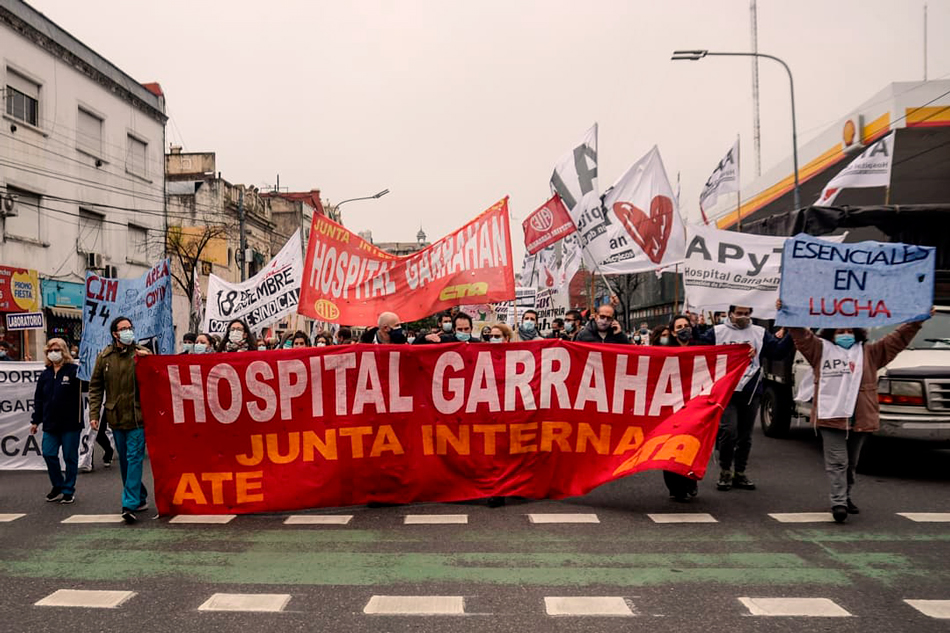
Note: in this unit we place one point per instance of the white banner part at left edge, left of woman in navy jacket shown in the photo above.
(18, 449)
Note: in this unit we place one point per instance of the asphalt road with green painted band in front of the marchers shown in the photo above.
(498, 571)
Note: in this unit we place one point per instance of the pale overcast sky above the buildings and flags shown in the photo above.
(453, 105)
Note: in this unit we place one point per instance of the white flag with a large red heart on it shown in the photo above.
(639, 227)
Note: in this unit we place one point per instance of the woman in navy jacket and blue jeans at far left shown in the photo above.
(57, 405)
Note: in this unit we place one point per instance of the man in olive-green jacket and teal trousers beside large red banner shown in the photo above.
(113, 381)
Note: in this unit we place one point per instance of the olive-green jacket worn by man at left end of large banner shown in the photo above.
(113, 382)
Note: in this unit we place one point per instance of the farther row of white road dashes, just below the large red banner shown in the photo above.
(341, 520)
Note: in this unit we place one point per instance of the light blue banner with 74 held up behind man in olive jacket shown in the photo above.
(146, 301)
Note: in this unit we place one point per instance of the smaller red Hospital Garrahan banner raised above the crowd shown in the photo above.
(348, 280)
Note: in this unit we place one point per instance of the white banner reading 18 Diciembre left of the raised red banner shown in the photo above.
(263, 299)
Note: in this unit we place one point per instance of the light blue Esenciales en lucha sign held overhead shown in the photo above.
(854, 285)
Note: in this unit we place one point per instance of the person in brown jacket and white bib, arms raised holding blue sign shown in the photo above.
(845, 405)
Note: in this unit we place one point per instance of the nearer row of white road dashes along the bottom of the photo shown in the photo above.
(582, 606)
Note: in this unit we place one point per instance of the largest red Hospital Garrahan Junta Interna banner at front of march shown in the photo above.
(290, 429)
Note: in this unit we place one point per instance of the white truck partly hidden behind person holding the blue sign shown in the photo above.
(913, 390)
